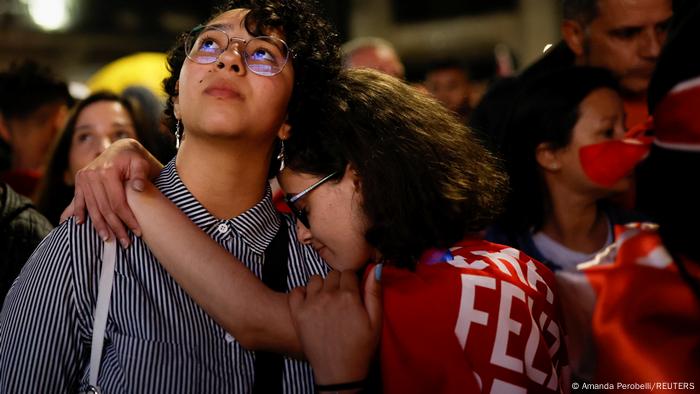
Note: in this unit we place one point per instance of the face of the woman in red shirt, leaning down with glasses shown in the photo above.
(337, 222)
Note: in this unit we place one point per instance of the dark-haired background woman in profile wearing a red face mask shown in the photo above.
(562, 170)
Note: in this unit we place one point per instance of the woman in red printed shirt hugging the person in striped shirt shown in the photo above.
(385, 176)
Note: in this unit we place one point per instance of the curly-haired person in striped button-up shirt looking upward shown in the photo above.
(235, 92)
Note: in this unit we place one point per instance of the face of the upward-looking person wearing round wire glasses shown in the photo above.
(225, 100)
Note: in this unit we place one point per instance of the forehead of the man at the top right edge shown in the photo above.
(632, 13)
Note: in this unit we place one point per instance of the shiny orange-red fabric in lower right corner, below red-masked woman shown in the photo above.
(645, 317)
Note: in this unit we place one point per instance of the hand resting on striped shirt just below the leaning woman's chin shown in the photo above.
(338, 333)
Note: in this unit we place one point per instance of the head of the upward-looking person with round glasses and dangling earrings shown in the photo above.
(248, 70)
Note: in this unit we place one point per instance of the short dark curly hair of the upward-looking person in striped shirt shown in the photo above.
(313, 44)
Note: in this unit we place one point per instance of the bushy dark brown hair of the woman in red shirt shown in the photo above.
(426, 180)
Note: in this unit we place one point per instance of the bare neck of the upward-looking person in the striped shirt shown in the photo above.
(225, 176)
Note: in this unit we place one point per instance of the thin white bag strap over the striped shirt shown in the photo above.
(104, 295)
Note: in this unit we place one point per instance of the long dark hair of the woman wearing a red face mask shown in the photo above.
(545, 112)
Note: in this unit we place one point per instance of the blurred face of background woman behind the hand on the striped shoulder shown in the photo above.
(97, 127)
